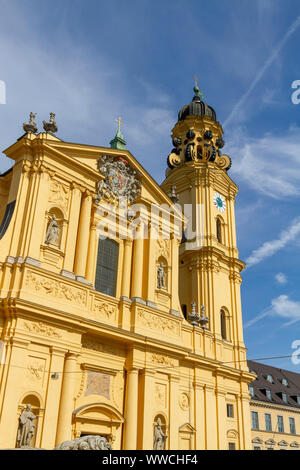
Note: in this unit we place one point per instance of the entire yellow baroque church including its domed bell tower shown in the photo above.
(100, 326)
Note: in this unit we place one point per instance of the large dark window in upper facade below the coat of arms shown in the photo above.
(107, 266)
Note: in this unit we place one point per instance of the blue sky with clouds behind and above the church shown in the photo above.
(92, 61)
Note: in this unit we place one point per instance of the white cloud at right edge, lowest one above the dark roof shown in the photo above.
(282, 307)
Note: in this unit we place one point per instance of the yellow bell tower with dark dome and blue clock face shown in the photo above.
(209, 266)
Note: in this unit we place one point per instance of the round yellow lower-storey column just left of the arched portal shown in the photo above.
(64, 425)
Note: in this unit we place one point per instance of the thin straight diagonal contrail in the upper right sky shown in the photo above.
(262, 70)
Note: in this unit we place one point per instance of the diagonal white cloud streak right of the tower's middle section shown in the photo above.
(269, 248)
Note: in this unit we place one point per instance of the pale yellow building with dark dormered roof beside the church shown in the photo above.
(275, 408)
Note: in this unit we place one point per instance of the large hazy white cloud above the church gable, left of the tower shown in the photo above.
(85, 92)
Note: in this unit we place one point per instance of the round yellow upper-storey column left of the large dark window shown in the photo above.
(83, 235)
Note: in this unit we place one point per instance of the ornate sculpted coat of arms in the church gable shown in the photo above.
(120, 181)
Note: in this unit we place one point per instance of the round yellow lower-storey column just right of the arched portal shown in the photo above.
(130, 440)
